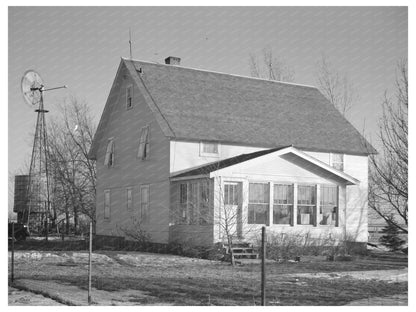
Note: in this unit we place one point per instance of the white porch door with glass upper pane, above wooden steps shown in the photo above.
(232, 212)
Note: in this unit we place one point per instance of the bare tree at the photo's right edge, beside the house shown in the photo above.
(388, 184)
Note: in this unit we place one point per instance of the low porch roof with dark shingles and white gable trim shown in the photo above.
(295, 154)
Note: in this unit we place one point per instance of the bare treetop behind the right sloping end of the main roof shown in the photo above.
(336, 87)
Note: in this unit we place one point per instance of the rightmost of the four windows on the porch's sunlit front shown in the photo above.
(328, 208)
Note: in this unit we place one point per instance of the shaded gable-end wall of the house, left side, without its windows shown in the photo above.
(124, 126)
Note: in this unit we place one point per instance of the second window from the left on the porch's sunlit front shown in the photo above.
(282, 203)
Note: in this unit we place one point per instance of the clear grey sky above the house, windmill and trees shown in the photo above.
(81, 47)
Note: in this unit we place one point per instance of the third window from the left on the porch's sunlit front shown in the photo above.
(306, 204)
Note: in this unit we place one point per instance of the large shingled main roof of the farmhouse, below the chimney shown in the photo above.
(196, 105)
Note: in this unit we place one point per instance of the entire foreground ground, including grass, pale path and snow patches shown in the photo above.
(134, 278)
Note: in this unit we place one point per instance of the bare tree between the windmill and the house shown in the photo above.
(73, 173)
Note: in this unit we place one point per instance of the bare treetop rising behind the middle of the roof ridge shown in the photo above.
(270, 67)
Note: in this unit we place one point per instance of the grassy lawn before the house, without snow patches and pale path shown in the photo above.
(186, 281)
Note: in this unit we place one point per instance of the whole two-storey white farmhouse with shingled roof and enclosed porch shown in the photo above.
(187, 154)
